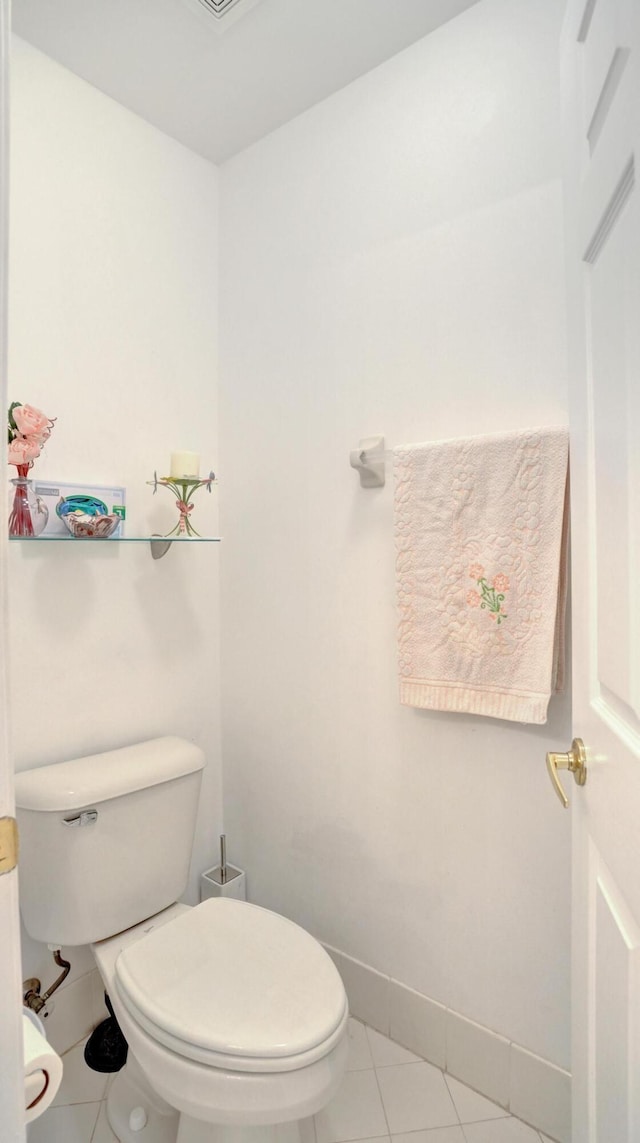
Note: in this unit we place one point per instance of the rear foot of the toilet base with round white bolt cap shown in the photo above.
(137, 1114)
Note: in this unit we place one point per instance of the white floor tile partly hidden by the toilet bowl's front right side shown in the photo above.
(355, 1114)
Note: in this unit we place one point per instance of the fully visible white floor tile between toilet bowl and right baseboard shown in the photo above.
(415, 1097)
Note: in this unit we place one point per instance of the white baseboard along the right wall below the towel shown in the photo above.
(530, 1088)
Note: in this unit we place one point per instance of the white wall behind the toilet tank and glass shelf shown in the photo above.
(114, 285)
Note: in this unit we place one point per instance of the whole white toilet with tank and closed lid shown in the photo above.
(236, 1018)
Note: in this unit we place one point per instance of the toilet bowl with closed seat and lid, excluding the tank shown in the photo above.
(225, 1036)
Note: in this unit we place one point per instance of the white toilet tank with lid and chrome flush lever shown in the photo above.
(106, 841)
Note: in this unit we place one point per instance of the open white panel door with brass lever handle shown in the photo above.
(602, 90)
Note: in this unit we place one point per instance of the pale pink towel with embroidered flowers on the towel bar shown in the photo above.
(481, 539)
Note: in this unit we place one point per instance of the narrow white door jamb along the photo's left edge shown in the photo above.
(12, 1089)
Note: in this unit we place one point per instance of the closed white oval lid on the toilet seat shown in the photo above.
(233, 979)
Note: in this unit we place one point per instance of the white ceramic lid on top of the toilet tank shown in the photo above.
(98, 778)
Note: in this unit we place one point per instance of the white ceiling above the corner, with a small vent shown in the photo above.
(221, 85)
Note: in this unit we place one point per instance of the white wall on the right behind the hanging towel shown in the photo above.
(391, 263)
